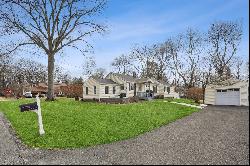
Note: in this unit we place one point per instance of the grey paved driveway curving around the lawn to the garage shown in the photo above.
(215, 135)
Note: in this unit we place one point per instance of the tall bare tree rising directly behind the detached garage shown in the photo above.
(224, 38)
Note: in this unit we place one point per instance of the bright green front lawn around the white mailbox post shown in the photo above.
(72, 124)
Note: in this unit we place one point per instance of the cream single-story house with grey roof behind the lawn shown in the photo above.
(114, 85)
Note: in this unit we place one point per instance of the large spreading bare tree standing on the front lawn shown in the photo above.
(51, 25)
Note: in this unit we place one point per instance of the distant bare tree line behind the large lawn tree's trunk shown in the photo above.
(17, 73)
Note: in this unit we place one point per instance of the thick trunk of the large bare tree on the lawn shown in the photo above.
(50, 94)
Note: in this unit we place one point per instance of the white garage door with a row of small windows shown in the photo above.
(227, 97)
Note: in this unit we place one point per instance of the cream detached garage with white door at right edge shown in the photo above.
(228, 92)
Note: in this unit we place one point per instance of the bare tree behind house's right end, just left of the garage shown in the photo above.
(185, 51)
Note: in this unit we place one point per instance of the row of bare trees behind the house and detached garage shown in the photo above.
(189, 59)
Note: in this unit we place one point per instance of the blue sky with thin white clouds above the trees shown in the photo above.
(148, 22)
